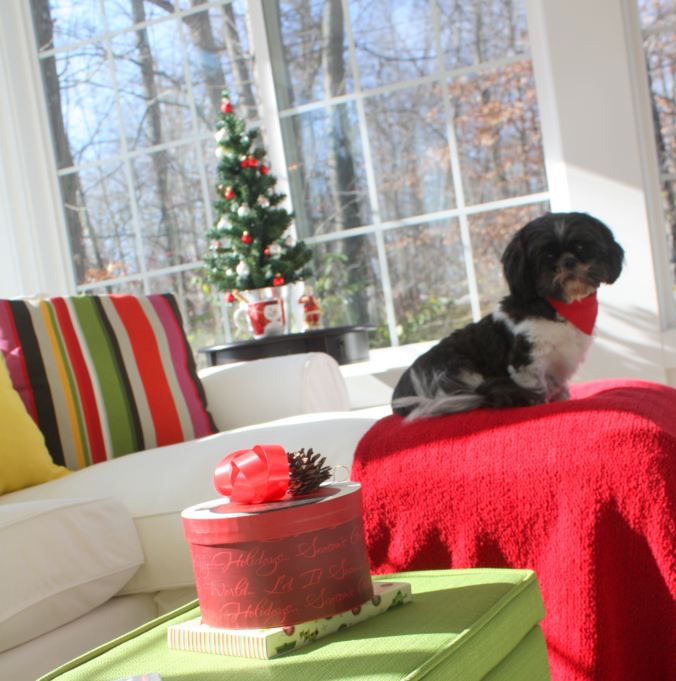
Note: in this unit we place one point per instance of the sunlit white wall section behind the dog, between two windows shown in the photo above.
(601, 158)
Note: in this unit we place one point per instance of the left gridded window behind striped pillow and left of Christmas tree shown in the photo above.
(133, 89)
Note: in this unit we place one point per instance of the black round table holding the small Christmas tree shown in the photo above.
(346, 344)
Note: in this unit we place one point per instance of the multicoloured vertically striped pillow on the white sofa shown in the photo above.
(104, 376)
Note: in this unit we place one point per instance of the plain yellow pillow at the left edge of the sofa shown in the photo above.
(24, 459)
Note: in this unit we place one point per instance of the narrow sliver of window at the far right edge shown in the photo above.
(658, 20)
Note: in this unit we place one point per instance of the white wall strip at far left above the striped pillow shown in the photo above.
(32, 236)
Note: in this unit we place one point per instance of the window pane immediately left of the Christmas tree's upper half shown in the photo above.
(171, 207)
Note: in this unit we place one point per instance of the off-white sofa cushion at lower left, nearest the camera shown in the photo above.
(61, 558)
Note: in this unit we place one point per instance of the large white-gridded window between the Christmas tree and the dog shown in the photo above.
(414, 150)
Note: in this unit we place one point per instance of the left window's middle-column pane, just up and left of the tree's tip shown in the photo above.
(150, 77)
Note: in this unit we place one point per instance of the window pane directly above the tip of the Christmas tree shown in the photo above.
(219, 55)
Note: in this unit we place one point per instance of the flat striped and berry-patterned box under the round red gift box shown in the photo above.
(195, 636)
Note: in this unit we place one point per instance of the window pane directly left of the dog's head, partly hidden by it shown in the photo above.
(490, 233)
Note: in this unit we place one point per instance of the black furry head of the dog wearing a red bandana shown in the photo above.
(566, 256)
